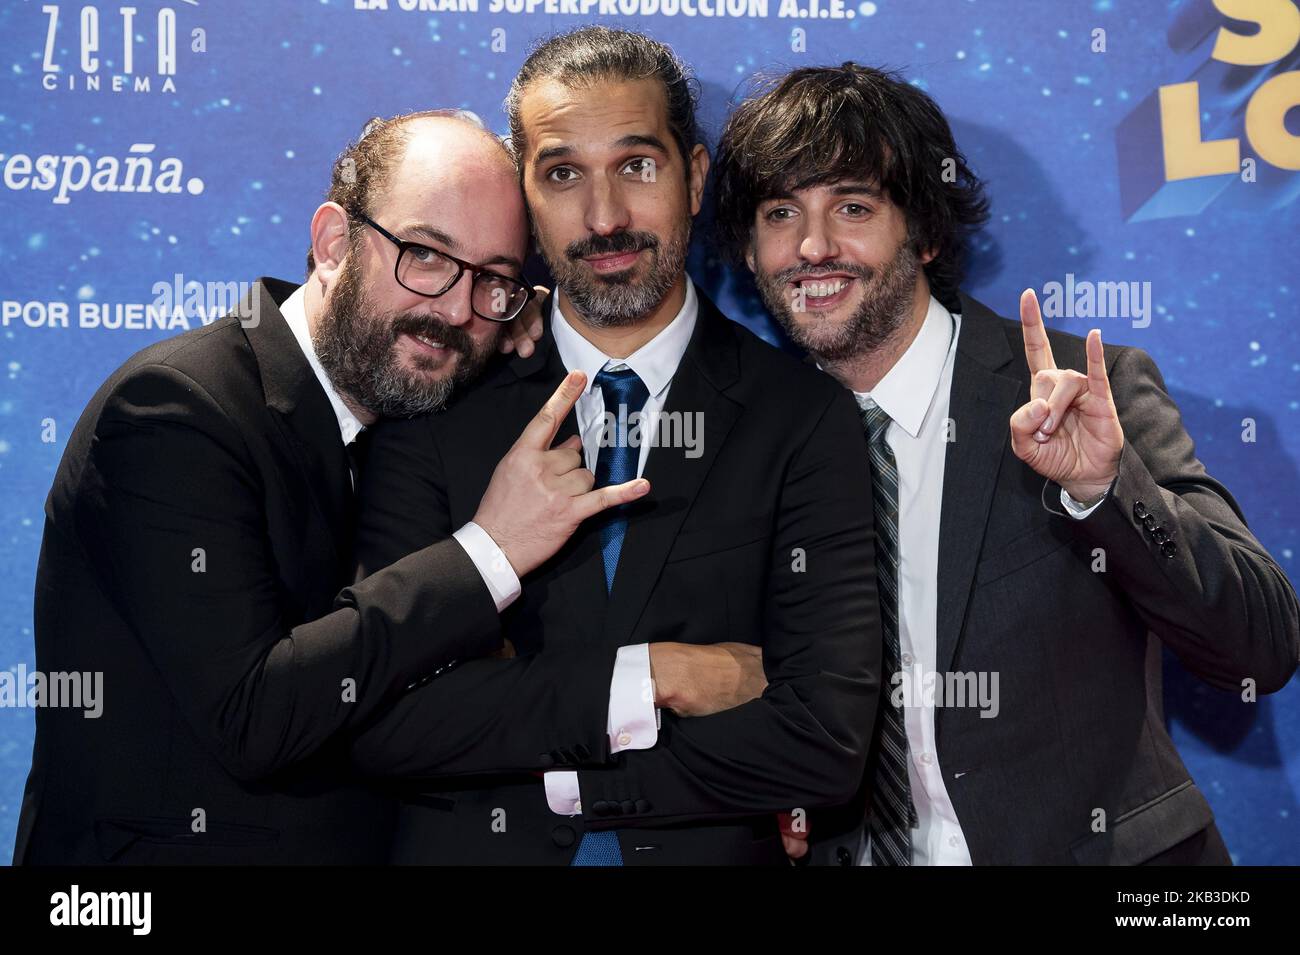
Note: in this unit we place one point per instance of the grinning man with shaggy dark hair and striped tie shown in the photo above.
(1045, 523)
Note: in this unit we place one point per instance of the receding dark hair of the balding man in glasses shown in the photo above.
(366, 166)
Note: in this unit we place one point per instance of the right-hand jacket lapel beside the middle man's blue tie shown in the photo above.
(709, 367)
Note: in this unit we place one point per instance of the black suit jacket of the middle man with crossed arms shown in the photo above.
(765, 539)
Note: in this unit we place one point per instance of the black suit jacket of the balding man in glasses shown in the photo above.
(197, 542)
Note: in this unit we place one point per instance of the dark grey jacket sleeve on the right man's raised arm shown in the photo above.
(1178, 545)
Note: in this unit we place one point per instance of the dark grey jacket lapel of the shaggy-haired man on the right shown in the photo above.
(982, 401)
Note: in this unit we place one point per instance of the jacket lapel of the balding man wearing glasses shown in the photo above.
(302, 413)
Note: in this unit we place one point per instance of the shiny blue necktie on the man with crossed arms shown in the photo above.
(617, 462)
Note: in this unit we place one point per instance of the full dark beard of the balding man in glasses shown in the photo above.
(357, 349)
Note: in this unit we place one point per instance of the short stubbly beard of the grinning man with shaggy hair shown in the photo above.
(885, 309)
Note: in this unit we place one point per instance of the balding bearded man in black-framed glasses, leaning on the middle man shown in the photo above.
(198, 536)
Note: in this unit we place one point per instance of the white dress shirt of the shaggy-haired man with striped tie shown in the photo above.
(916, 394)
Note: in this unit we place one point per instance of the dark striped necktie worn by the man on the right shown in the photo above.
(892, 814)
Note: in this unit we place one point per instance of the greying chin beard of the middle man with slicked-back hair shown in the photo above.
(614, 303)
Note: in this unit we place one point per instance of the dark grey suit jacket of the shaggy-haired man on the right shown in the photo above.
(1078, 766)
